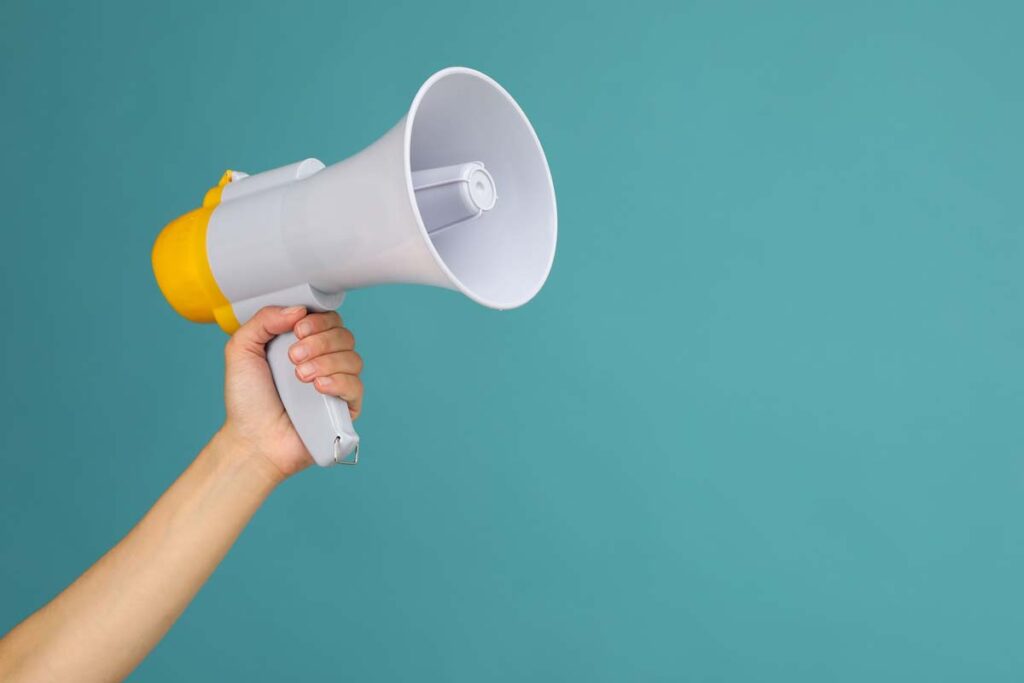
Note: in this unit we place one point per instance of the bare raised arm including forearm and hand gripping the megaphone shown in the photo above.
(103, 625)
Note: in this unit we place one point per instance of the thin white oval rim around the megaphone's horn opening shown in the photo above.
(408, 144)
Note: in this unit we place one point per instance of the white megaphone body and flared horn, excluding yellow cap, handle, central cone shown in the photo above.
(357, 224)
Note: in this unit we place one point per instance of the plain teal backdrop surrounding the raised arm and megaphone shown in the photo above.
(765, 422)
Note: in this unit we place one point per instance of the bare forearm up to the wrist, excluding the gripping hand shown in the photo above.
(108, 621)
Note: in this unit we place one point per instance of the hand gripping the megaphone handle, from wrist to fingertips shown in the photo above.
(324, 357)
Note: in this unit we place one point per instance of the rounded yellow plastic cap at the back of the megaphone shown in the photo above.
(183, 267)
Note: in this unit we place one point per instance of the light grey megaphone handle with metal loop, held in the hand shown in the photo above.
(324, 423)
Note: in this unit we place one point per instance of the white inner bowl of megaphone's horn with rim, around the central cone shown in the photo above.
(504, 258)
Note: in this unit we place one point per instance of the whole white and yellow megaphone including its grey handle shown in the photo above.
(457, 195)
